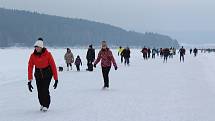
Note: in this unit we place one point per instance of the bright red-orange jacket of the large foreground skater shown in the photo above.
(41, 61)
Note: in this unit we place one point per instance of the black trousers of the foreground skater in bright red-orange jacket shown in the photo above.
(43, 78)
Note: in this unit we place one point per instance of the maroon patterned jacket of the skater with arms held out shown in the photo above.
(106, 57)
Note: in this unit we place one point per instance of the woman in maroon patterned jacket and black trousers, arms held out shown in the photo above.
(106, 57)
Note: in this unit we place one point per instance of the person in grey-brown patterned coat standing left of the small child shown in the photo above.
(69, 58)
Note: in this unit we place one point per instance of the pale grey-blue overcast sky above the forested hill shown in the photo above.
(188, 21)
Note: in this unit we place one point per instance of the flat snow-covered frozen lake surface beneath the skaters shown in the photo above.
(146, 91)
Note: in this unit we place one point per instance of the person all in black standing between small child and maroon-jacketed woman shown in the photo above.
(90, 58)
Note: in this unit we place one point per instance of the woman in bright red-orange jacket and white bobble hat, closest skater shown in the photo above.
(45, 68)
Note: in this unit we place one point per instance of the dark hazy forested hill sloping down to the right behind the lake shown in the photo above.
(22, 28)
